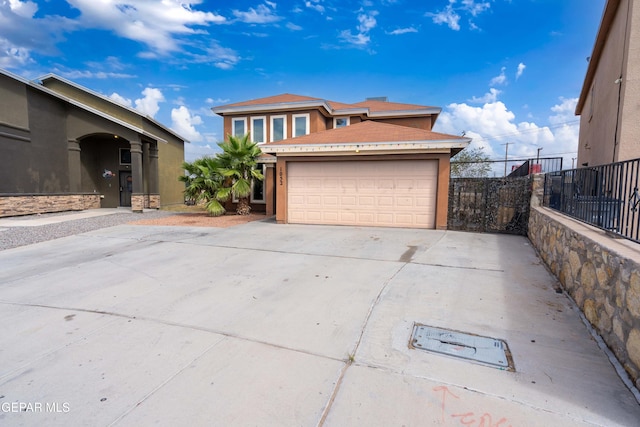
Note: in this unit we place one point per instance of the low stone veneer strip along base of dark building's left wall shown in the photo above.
(14, 205)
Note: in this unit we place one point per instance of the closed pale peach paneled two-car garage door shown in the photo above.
(399, 193)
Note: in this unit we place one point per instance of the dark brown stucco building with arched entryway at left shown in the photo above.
(64, 147)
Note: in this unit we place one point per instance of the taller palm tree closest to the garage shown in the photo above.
(238, 164)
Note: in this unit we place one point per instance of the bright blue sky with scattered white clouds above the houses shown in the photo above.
(501, 70)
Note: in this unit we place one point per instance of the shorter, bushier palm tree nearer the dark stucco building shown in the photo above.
(203, 183)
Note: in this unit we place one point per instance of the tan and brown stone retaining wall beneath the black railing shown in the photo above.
(600, 273)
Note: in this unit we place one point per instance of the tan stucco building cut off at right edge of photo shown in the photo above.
(609, 102)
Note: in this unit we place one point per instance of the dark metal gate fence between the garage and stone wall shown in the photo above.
(494, 205)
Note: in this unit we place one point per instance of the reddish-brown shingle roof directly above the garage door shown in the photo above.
(368, 131)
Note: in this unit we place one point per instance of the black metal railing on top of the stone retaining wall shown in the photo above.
(604, 196)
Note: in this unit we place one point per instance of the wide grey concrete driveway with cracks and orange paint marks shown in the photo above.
(285, 325)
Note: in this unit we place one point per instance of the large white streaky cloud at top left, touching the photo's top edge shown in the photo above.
(156, 24)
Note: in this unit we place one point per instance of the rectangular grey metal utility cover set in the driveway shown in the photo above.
(490, 351)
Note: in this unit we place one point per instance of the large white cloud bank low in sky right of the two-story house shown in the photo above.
(493, 125)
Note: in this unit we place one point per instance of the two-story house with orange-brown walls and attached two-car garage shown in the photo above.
(373, 163)
